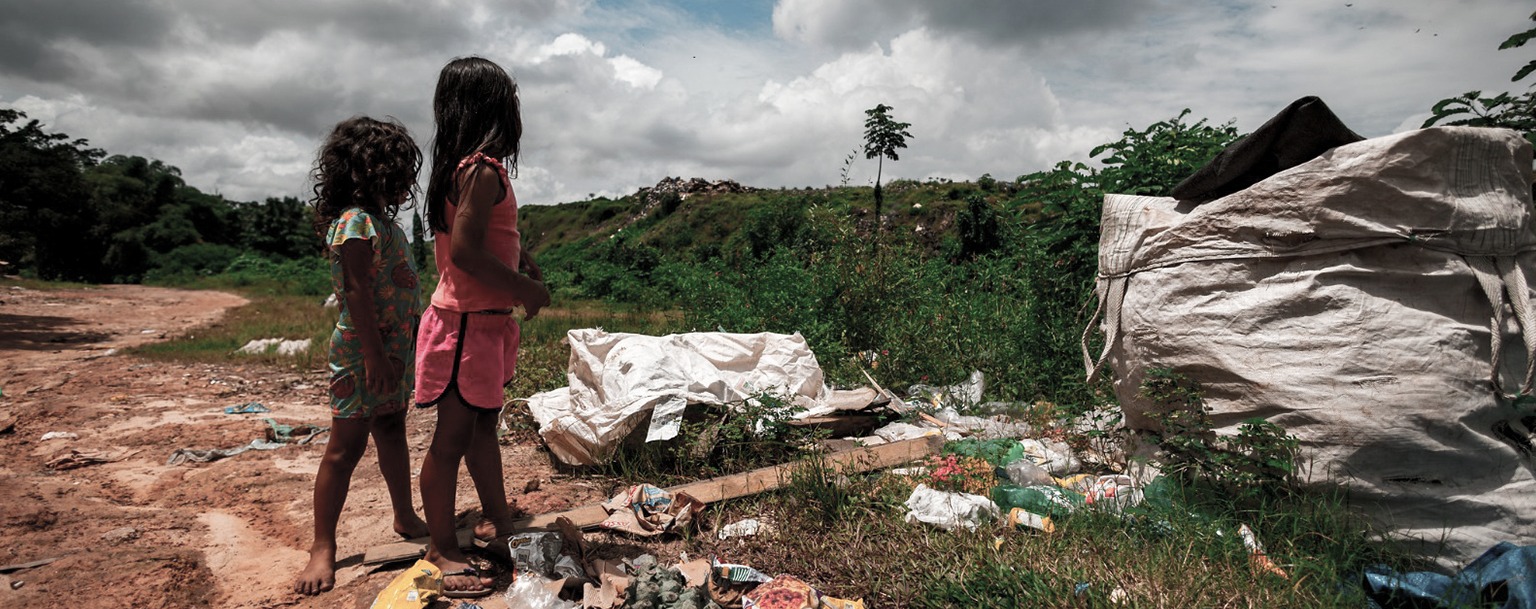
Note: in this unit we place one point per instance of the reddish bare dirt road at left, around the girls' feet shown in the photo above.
(139, 533)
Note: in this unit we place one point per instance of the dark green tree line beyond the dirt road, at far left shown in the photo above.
(70, 211)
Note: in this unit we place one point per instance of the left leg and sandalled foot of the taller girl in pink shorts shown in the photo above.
(439, 488)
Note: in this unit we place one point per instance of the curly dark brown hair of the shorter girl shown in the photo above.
(365, 164)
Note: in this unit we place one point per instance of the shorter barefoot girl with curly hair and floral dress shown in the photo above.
(365, 173)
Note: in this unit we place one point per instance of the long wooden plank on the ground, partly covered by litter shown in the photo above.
(707, 491)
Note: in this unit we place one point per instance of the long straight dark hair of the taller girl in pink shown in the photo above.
(477, 111)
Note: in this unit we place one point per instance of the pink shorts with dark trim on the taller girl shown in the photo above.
(472, 354)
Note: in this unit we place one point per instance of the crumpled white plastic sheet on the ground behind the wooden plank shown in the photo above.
(618, 381)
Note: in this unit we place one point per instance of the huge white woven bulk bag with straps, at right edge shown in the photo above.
(1375, 302)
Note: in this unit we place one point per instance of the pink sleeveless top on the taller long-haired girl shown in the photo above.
(458, 291)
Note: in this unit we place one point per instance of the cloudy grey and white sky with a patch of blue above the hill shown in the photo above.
(770, 93)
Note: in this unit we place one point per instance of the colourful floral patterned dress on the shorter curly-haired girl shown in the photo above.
(397, 298)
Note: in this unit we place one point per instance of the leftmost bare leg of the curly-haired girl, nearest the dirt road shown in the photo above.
(349, 438)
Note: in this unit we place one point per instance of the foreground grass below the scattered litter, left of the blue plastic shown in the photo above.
(1182, 553)
